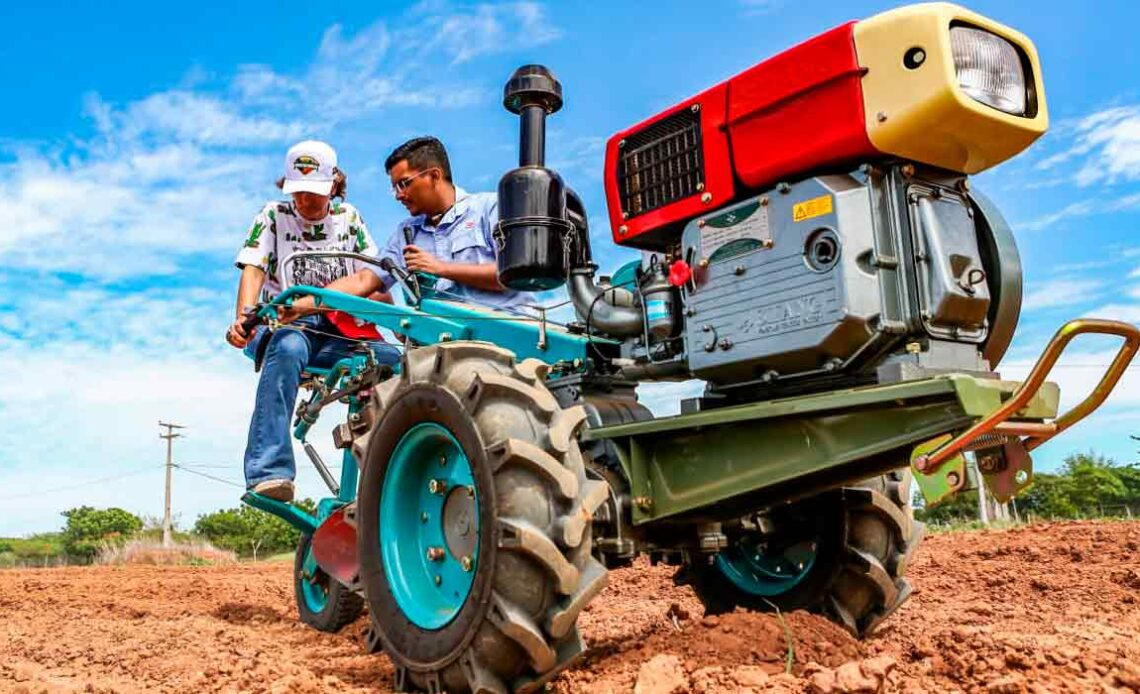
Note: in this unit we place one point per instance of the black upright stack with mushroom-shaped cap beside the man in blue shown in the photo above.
(534, 228)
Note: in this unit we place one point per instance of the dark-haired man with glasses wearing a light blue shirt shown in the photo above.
(450, 232)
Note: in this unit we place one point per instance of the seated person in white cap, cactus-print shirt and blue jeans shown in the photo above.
(310, 222)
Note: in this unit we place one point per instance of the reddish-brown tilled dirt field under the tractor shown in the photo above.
(1052, 608)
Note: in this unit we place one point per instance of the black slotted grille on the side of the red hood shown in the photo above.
(662, 165)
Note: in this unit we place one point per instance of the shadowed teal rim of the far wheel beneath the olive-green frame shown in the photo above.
(763, 573)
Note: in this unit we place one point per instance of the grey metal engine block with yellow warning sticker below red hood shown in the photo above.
(837, 275)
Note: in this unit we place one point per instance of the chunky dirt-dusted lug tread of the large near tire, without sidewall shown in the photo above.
(535, 446)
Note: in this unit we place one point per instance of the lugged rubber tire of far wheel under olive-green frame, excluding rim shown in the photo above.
(868, 537)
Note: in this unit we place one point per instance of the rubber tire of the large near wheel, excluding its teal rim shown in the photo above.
(535, 573)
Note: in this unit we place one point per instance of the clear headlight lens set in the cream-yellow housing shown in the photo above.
(989, 69)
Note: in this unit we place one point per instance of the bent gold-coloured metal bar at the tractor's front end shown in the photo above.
(1038, 434)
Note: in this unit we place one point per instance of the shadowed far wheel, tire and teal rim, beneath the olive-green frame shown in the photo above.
(845, 557)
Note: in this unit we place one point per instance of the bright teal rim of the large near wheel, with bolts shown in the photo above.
(429, 526)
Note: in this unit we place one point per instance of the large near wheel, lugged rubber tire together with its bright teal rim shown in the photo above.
(475, 522)
